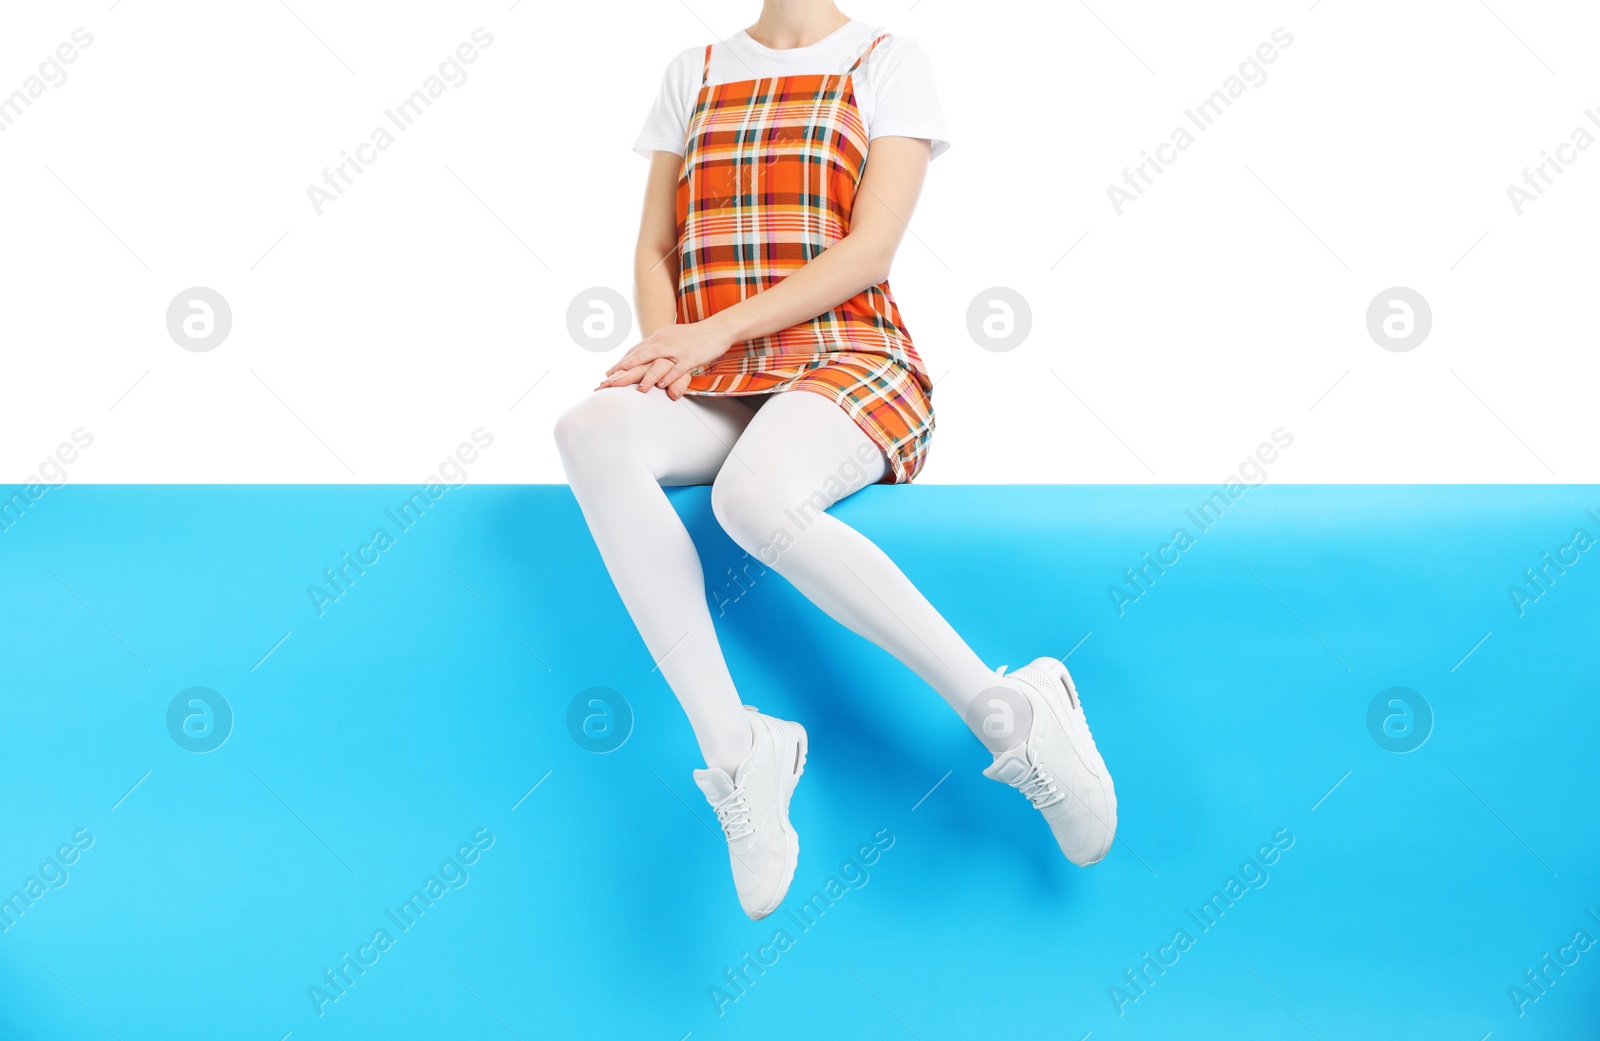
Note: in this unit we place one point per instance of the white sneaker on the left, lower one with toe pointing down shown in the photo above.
(754, 812)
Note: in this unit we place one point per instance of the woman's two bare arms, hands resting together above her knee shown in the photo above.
(890, 186)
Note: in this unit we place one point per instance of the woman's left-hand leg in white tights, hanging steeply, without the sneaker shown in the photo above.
(620, 447)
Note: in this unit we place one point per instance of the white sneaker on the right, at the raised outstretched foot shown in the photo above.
(1058, 767)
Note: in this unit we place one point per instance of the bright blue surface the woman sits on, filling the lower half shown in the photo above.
(1231, 701)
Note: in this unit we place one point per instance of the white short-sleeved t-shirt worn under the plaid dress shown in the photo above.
(894, 86)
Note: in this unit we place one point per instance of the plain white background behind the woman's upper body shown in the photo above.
(1167, 343)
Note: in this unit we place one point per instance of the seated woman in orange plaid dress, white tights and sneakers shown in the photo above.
(777, 369)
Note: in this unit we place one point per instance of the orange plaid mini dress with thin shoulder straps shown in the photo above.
(770, 177)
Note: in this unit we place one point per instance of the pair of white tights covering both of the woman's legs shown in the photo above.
(774, 471)
